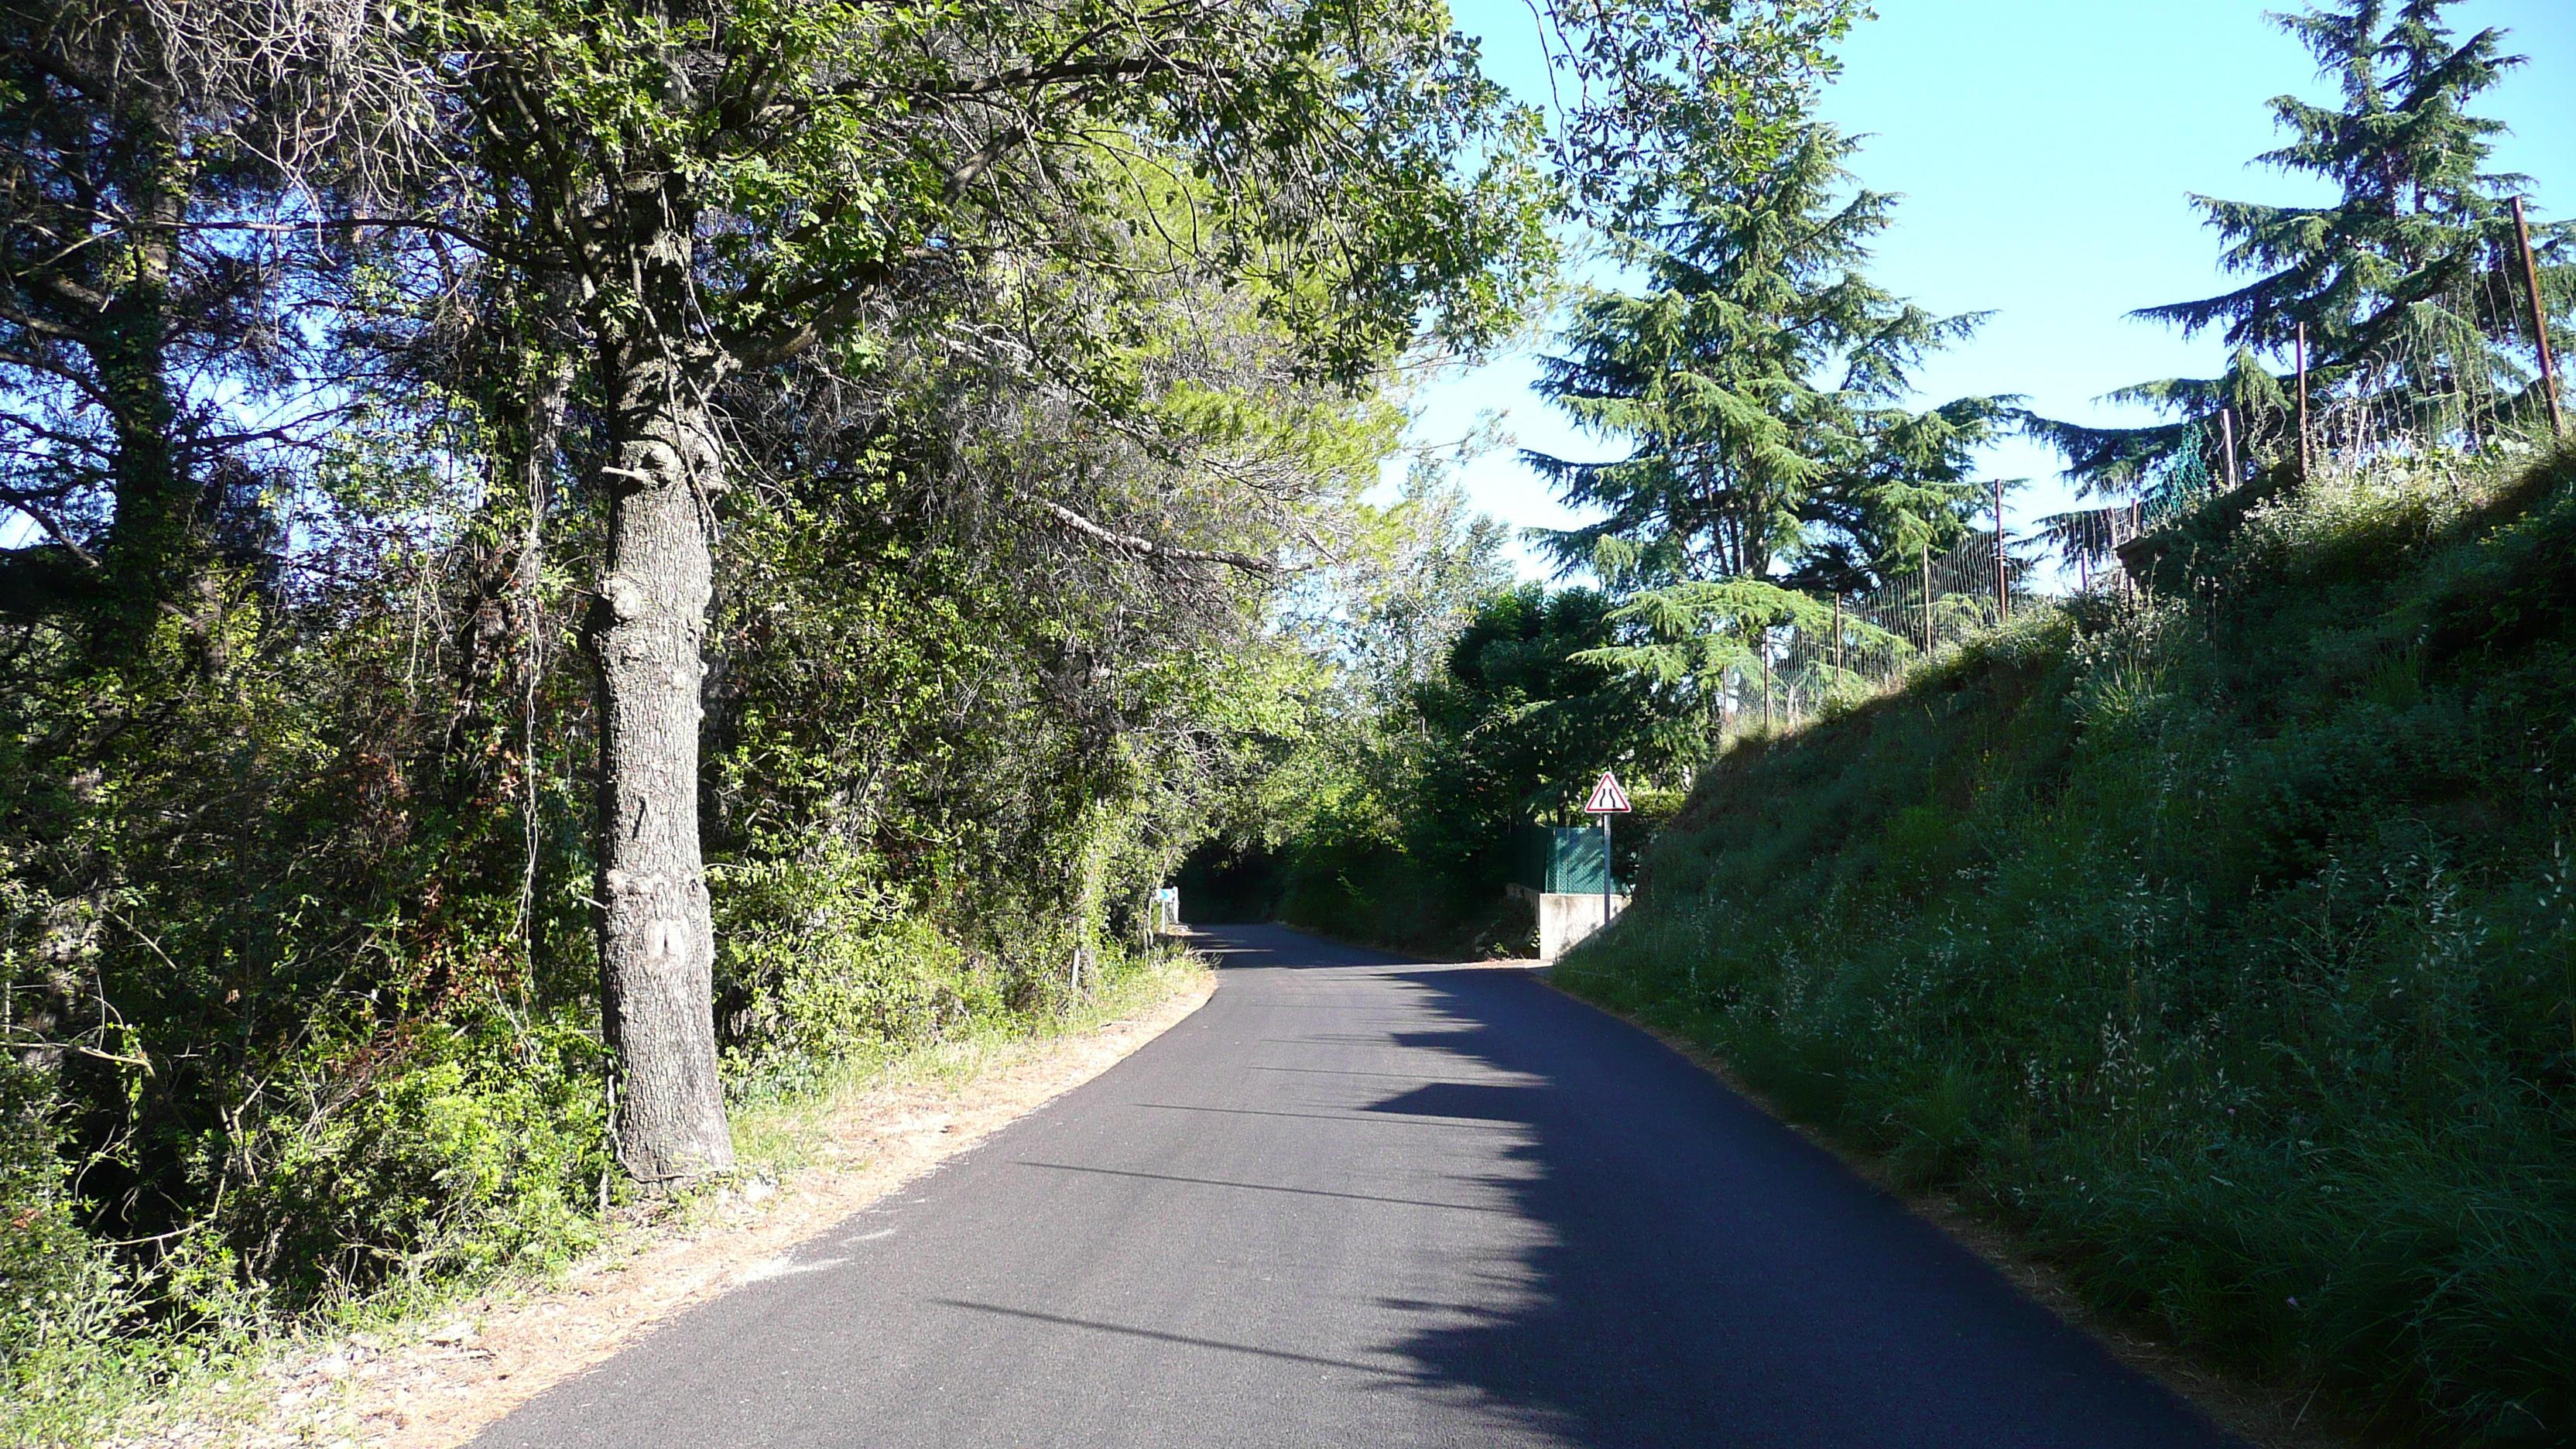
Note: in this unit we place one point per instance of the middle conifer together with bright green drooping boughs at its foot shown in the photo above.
(1758, 388)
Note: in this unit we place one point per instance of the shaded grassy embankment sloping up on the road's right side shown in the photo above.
(2227, 948)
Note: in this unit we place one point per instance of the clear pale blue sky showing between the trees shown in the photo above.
(2044, 153)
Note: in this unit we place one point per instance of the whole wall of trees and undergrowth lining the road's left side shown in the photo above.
(571, 558)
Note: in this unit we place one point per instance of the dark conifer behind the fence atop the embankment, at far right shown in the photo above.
(2407, 285)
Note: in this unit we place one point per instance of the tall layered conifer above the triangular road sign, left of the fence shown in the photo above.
(1758, 380)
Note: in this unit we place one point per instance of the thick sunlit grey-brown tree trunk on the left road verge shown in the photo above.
(658, 940)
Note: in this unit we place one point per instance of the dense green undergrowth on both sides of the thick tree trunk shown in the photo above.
(298, 973)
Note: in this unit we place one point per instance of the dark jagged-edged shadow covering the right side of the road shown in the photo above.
(1709, 1278)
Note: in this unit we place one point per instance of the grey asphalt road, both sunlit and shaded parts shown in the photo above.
(1367, 1203)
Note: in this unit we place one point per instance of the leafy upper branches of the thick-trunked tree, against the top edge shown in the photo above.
(1315, 153)
